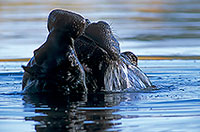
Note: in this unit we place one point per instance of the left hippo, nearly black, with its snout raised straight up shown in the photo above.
(55, 66)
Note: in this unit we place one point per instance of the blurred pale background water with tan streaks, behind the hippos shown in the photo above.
(146, 27)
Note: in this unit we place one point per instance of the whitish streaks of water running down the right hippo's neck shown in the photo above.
(122, 74)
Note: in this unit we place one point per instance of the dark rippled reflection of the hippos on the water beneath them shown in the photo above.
(74, 113)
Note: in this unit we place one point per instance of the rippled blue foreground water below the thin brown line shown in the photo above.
(174, 106)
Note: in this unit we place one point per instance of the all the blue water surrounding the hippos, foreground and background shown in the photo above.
(146, 27)
